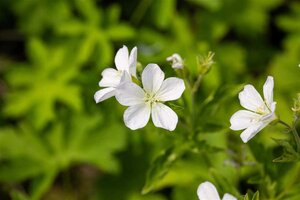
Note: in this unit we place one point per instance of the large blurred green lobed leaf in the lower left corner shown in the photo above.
(26, 154)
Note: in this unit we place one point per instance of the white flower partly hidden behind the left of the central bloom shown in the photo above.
(111, 78)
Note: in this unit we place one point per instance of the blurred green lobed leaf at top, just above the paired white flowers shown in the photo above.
(92, 33)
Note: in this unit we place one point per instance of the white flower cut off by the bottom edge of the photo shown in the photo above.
(207, 191)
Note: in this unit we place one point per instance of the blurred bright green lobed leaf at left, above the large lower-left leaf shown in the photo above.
(36, 87)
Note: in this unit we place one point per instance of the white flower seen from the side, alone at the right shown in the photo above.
(260, 111)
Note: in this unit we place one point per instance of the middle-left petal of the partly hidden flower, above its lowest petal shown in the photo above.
(110, 78)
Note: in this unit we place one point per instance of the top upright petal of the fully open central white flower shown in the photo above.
(152, 78)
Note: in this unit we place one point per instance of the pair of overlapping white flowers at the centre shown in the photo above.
(145, 101)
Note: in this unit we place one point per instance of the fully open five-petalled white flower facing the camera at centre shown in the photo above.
(149, 100)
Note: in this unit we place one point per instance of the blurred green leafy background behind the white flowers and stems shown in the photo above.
(57, 143)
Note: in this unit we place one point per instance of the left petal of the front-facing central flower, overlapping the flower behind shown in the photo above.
(129, 94)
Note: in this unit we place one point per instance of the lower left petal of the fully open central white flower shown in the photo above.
(137, 116)
